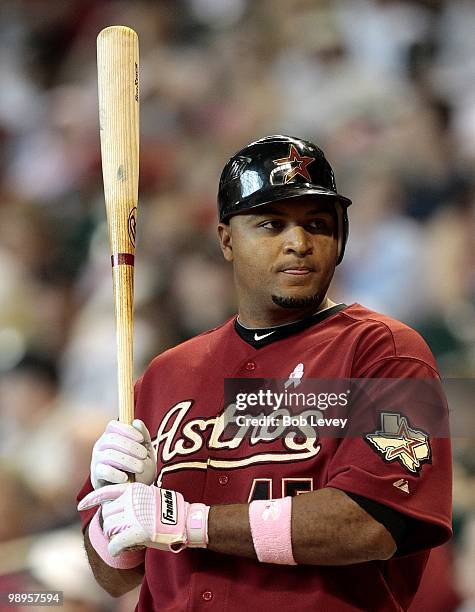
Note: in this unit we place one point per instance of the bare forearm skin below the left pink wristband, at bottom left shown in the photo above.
(116, 582)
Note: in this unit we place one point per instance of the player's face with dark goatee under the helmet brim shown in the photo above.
(284, 255)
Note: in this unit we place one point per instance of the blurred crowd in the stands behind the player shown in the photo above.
(386, 88)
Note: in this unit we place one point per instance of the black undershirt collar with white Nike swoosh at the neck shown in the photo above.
(262, 336)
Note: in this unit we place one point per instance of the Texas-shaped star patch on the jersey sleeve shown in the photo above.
(398, 441)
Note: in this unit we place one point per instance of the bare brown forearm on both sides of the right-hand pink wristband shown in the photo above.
(328, 528)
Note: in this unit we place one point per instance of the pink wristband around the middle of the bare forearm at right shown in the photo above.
(270, 522)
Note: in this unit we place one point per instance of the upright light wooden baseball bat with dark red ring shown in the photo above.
(118, 80)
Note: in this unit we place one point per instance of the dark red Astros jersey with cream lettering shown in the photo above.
(180, 397)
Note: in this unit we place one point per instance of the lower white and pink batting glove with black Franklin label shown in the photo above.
(139, 515)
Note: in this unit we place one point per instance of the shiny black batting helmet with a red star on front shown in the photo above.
(278, 168)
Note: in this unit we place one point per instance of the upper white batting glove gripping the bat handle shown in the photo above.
(121, 450)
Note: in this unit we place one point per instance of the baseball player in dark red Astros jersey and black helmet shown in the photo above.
(295, 521)
